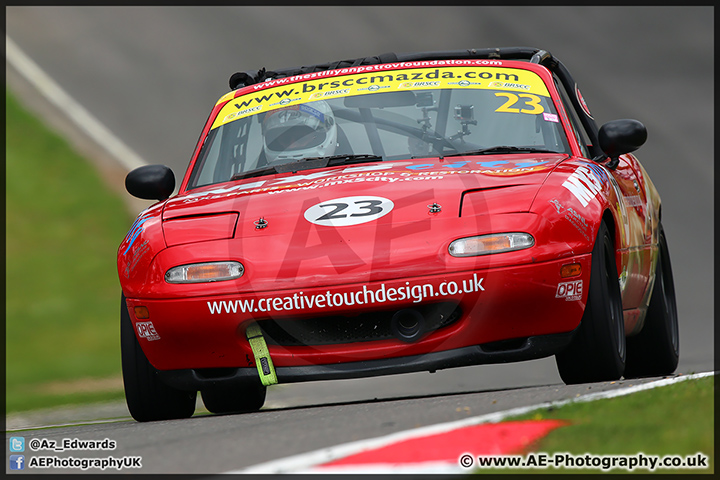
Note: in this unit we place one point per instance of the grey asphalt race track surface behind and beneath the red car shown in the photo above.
(151, 75)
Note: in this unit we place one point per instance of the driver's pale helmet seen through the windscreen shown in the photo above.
(299, 131)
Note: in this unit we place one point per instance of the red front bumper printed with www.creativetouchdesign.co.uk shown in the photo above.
(520, 304)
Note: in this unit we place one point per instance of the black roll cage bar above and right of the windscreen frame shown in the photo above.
(532, 55)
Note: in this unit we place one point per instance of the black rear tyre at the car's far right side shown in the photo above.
(656, 349)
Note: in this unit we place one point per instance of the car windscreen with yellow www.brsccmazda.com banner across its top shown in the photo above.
(400, 114)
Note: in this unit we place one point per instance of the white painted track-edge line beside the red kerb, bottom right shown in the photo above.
(304, 463)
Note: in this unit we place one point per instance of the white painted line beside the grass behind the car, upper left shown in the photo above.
(52, 92)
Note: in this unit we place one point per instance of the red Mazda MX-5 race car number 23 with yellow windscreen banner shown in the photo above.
(394, 214)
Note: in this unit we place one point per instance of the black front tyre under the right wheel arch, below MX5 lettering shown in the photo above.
(598, 349)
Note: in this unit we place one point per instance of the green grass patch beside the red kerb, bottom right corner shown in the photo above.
(673, 420)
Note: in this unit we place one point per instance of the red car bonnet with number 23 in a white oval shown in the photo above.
(389, 218)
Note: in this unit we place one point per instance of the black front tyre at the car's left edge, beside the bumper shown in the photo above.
(148, 398)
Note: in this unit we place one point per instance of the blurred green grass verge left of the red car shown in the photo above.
(63, 228)
